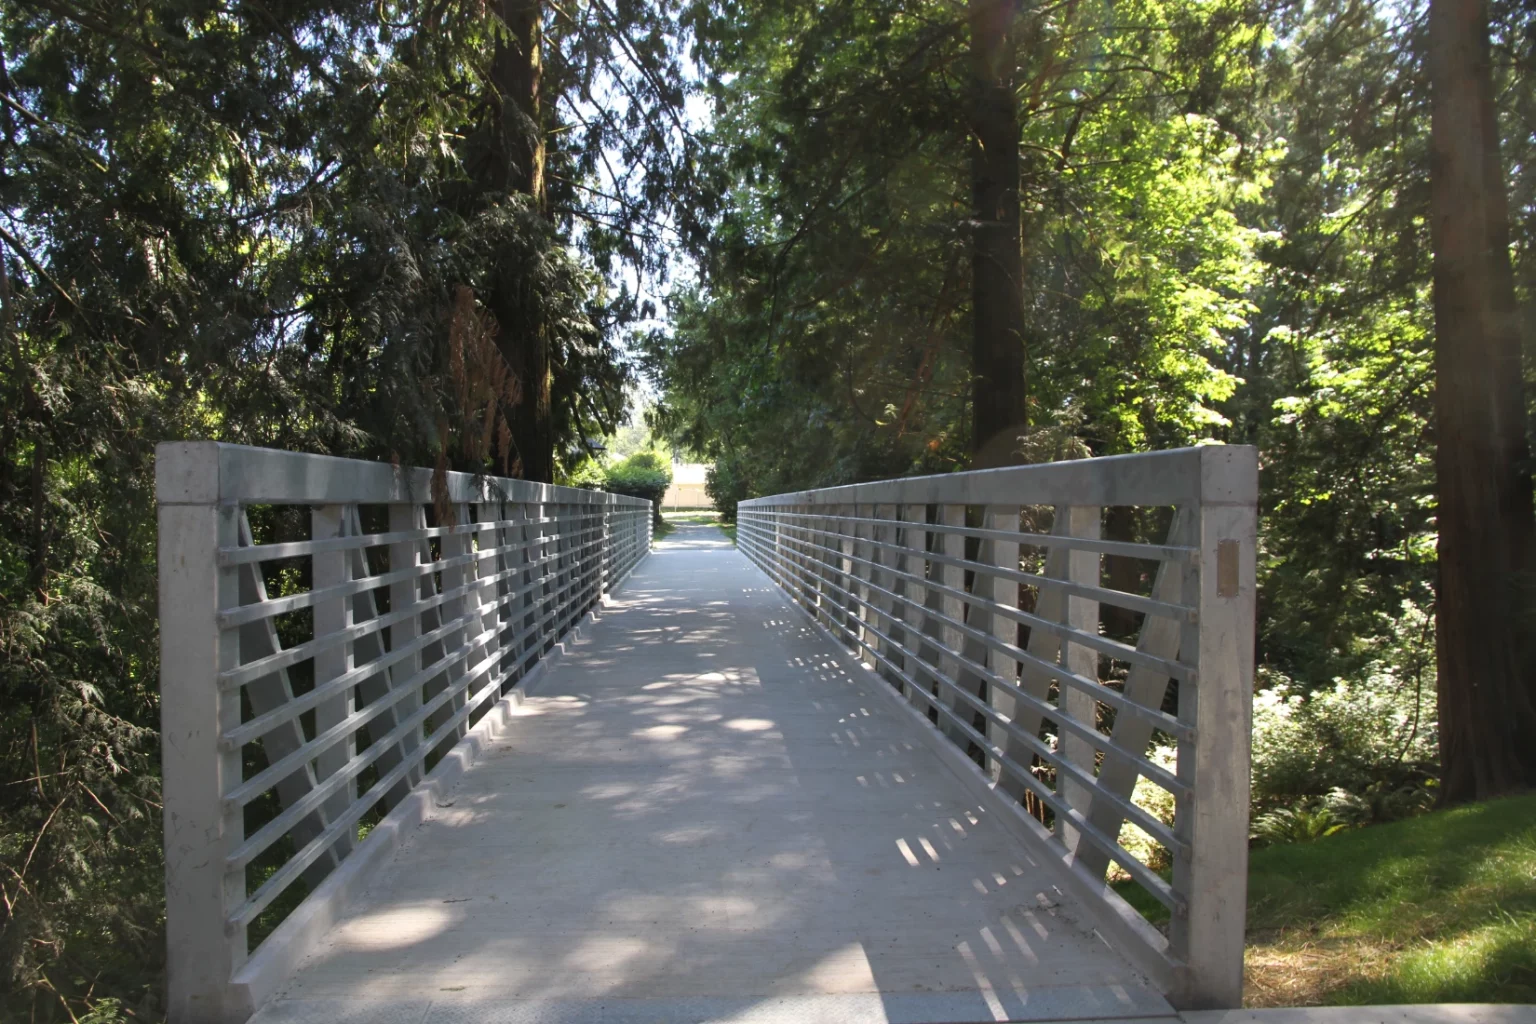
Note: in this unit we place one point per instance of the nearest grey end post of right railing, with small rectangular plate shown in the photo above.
(1214, 819)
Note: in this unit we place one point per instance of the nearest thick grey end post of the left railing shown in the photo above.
(197, 771)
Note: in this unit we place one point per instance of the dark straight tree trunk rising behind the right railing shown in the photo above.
(998, 346)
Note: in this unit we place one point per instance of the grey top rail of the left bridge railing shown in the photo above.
(214, 474)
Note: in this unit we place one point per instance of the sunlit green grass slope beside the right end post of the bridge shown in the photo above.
(1434, 910)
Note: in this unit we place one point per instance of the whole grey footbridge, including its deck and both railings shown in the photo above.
(454, 748)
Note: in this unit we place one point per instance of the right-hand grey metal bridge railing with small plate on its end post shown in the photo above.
(1059, 666)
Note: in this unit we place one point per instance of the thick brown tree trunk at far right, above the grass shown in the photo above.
(1488, 701)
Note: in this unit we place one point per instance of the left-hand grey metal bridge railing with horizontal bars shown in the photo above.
(334, 636)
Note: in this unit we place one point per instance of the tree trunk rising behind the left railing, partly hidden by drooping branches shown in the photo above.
(518, 157)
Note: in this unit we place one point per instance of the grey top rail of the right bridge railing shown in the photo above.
(1211, 475)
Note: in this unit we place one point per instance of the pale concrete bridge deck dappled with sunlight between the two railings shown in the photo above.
(706, 816)
